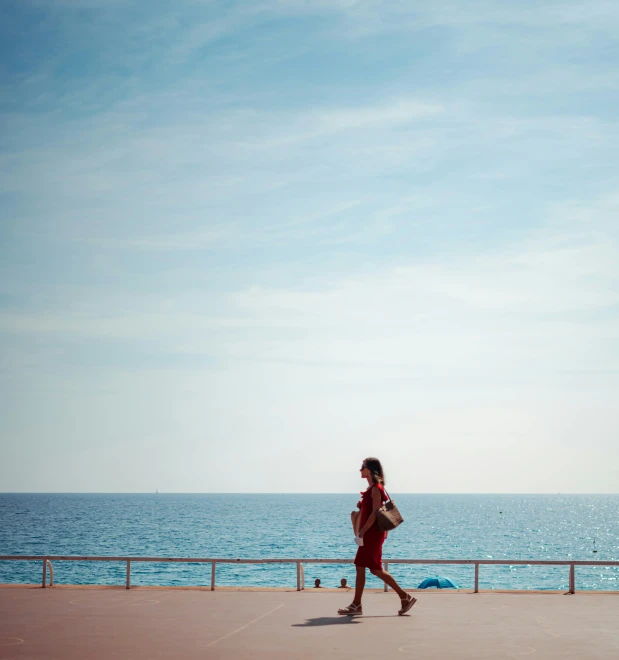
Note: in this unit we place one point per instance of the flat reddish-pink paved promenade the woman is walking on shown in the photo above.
(144, 623)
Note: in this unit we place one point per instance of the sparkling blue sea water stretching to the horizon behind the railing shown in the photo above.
(514, 527)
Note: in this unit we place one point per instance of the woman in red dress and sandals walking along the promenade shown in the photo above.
(370, 554)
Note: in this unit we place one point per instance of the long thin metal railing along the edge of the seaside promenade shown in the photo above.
(300, 562)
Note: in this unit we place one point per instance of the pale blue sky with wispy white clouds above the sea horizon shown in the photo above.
(244, 245)
